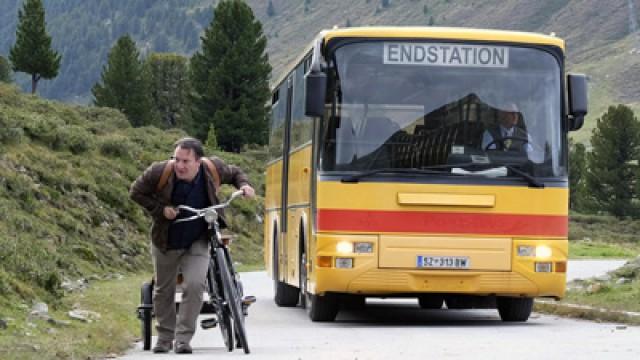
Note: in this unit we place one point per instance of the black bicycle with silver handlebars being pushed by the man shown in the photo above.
(224, 288)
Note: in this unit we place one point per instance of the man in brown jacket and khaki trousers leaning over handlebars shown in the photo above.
(190, 179)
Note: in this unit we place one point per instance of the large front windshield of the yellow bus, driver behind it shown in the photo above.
(465, 108)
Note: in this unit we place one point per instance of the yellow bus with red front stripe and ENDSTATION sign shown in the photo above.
(421, 162)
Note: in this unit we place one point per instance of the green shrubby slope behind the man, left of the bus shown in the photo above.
(65, 213)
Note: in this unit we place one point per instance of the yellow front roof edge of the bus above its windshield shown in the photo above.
(426, 32)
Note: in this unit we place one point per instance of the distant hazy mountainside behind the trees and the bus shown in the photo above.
(603, 39)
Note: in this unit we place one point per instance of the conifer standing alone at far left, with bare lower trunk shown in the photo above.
(32, 52)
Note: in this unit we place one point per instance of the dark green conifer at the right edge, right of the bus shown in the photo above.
(612, 174)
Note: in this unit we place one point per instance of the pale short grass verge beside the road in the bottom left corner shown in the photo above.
(113, 333)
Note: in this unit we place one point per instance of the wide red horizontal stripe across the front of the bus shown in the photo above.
(442, 223)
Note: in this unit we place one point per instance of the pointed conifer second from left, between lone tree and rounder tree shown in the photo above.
(123, 84)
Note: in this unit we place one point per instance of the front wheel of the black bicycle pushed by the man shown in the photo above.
(232, 297)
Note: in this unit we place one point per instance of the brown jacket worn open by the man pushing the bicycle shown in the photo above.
(144, 192)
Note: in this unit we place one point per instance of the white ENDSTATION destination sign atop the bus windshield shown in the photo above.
(443, 54)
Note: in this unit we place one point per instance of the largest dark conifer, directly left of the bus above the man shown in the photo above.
(230, 76)
